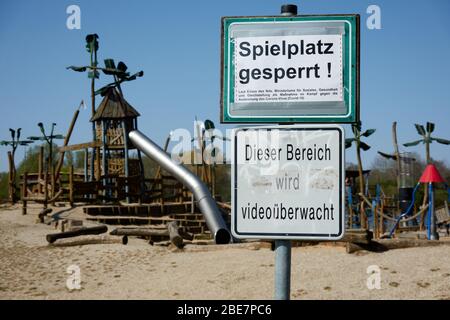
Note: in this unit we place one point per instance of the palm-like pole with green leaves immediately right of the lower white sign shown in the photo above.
(356, 128)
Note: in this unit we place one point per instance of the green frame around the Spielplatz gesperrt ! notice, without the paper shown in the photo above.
(351, 76)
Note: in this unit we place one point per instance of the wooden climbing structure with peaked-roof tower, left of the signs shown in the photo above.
(112, 186)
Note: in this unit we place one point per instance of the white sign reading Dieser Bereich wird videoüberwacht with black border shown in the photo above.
(288, 182)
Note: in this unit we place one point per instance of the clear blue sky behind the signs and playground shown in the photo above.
(405, 66)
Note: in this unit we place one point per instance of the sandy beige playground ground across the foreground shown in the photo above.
(31, 269)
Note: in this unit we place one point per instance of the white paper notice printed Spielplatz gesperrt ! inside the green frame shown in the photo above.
(294, 68)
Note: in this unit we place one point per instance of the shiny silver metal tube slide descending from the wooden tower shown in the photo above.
(206, 203)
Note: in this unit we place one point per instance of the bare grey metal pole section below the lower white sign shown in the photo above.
(282, 269)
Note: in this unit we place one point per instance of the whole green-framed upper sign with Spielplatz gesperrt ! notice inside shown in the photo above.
(283, 69)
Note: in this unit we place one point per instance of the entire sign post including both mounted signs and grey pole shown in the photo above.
(288, 181)
